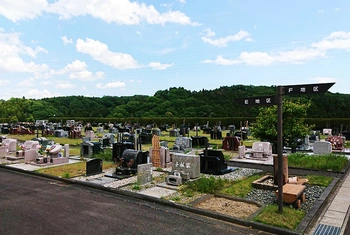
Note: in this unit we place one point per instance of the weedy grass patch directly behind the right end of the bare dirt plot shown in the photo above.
(241, 187)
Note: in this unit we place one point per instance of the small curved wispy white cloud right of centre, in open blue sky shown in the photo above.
(222, 42)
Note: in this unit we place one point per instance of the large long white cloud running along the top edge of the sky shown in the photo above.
(119, 12)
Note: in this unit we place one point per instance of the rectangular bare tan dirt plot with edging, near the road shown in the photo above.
(229, 207)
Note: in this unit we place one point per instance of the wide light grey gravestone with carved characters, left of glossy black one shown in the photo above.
(186, 164)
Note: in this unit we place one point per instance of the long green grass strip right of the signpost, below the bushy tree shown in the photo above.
(334, 162)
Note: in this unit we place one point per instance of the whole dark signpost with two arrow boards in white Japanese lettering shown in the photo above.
(277, 100)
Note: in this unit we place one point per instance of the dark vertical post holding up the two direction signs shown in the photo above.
(280, 148)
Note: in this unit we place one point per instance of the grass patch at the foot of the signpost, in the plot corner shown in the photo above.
(289, 219)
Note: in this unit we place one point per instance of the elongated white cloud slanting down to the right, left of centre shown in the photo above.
(99, 51)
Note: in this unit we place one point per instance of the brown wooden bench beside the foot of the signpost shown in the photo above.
(293, 193)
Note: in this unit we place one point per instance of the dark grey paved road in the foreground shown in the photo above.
(35, 205)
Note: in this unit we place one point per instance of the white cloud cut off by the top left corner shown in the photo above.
(20, 10)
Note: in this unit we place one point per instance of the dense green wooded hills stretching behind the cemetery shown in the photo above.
(175, 103)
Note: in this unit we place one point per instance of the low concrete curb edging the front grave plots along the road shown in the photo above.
(243, 222)
